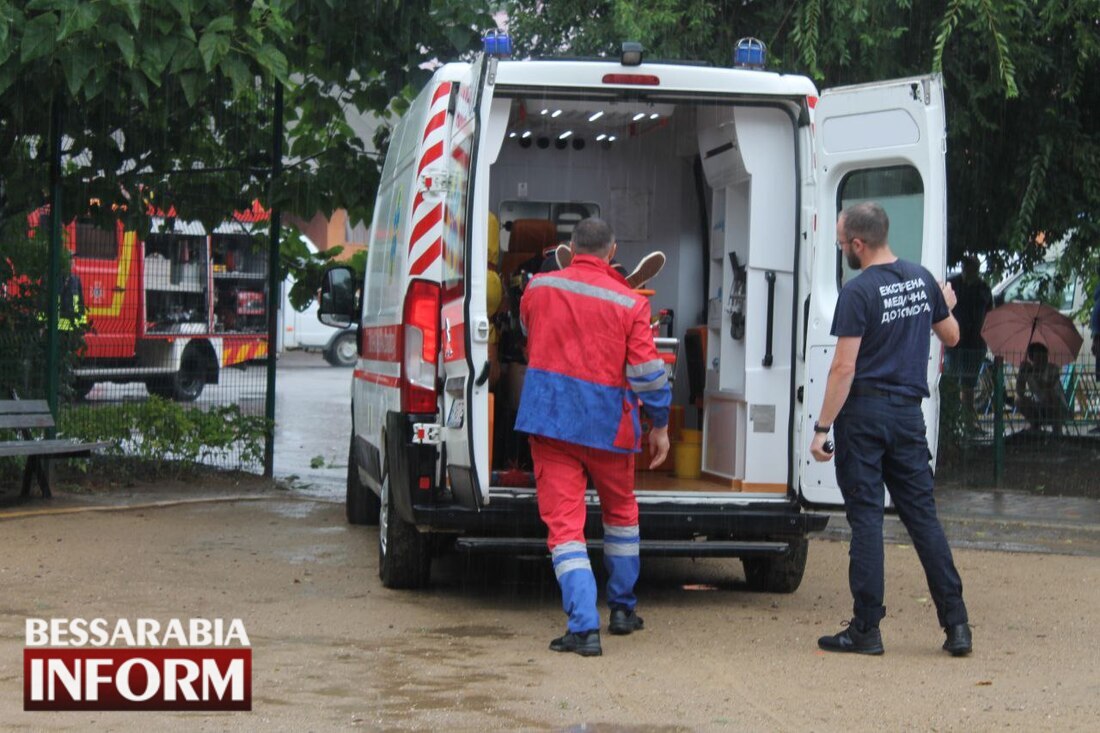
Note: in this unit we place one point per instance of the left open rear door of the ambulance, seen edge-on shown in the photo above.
(465, 321)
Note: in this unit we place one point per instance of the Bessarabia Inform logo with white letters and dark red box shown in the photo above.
(95, 664)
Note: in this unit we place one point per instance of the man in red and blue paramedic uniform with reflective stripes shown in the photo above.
(591, 360)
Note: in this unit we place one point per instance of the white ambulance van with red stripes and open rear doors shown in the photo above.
(738, 176)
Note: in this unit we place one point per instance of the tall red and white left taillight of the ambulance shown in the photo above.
(421, 337)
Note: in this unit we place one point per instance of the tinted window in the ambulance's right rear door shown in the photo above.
(900, 191)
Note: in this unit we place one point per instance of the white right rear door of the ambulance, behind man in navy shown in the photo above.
(884, 143)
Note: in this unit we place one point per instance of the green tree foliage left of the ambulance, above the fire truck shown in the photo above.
(174, 100)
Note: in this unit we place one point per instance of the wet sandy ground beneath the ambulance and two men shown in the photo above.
(334, 650)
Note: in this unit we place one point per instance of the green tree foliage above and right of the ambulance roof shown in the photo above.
(1021, 81)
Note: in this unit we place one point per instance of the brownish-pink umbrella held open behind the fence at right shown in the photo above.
(1009, 330)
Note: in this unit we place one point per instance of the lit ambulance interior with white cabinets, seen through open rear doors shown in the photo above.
(712, 184)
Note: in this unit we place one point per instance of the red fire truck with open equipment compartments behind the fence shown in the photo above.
(174, 310)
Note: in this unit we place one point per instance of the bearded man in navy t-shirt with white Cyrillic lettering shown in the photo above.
(876, 385)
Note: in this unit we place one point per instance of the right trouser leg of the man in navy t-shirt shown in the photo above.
(909, 478)
